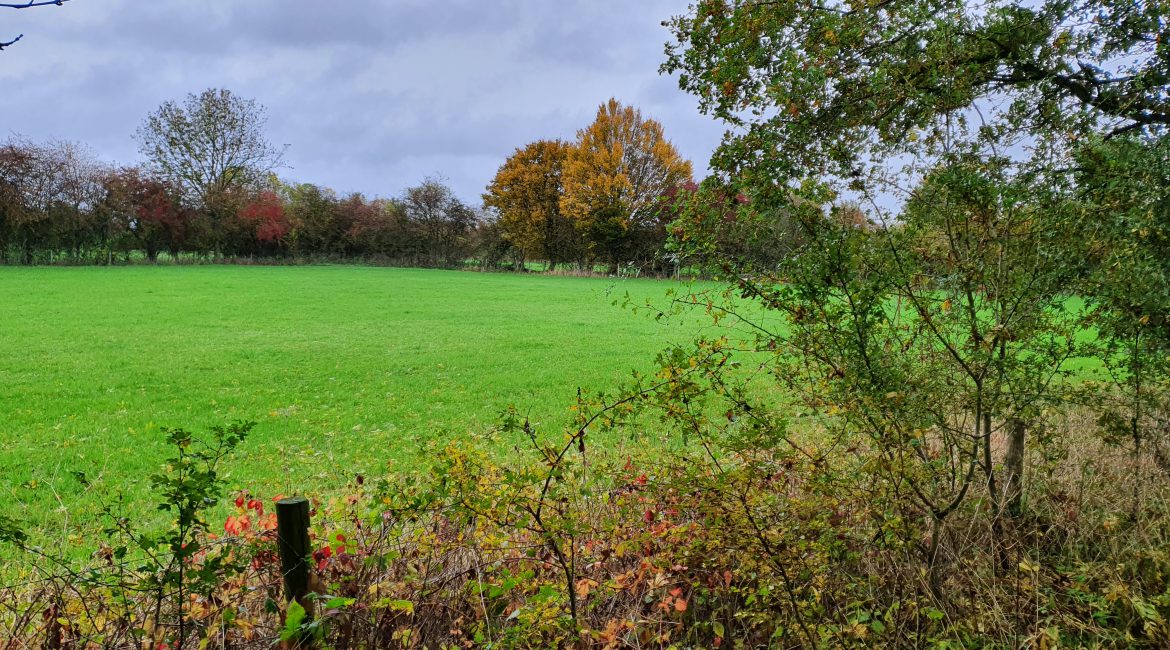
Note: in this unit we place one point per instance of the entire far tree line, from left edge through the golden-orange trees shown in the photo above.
(209, 189)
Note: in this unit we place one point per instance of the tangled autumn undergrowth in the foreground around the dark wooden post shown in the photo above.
(789, 547)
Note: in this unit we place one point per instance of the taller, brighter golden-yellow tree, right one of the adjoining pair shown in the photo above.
(615, 178)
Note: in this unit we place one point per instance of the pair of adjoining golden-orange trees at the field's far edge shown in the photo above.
(603, 198)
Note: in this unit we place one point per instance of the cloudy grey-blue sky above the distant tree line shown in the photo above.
(370, 96)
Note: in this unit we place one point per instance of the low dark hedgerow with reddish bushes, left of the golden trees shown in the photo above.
(59, 204)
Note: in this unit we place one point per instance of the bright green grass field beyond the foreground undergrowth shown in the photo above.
(347, 370)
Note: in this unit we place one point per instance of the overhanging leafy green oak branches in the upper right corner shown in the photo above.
(841, 88)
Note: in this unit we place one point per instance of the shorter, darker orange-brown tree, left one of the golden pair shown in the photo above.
(527, 193)
